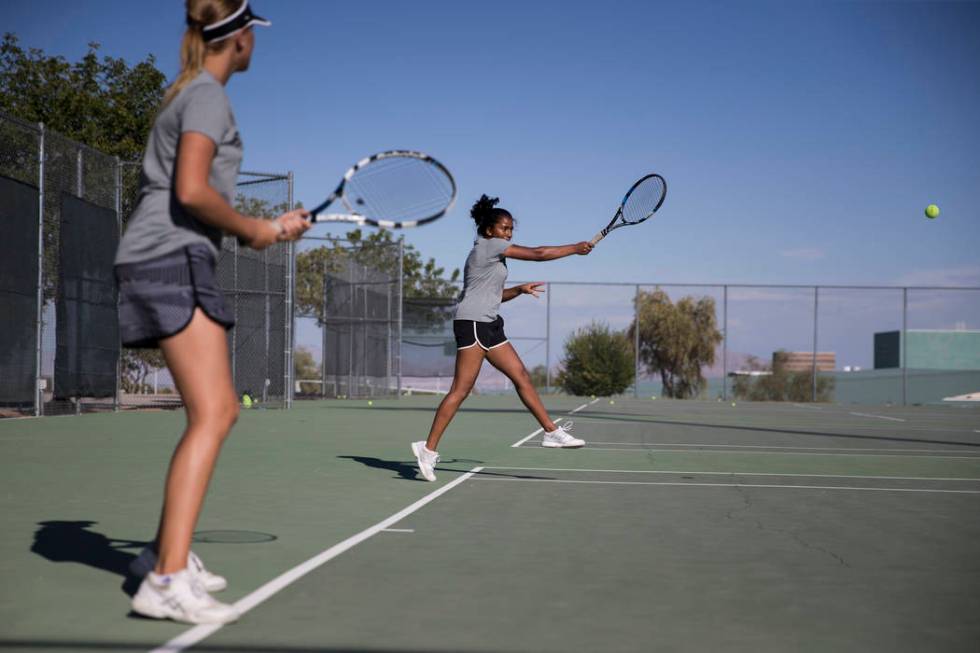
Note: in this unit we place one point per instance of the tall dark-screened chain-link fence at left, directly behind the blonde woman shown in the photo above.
(63, 206)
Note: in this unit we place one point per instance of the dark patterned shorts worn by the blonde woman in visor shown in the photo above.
(157, 297)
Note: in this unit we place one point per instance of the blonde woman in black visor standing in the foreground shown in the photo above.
(168, 294)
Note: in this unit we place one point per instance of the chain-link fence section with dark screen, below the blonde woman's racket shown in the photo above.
(348, 320)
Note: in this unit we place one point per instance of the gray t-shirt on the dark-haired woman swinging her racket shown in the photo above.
(483, 280)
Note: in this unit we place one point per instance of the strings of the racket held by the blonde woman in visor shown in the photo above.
(399, 189)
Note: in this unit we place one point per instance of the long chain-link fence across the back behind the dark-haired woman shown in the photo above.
(843, 344)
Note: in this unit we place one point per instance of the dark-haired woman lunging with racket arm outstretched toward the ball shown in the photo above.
(479, 329)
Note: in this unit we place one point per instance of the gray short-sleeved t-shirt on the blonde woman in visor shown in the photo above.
(159, 225)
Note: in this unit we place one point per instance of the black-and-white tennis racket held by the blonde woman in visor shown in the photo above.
(396, 189)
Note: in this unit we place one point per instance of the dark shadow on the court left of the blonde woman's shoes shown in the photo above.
(73, 541)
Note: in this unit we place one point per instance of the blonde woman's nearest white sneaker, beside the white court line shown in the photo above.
(179, 596)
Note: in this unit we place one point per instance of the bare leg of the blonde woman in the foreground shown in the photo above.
(198, 361)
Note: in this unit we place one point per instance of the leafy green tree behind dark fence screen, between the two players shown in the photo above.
(427, 295)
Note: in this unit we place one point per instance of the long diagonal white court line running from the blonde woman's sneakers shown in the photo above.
(197, 633)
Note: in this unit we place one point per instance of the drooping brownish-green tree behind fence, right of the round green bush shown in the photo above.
(676, 340)
